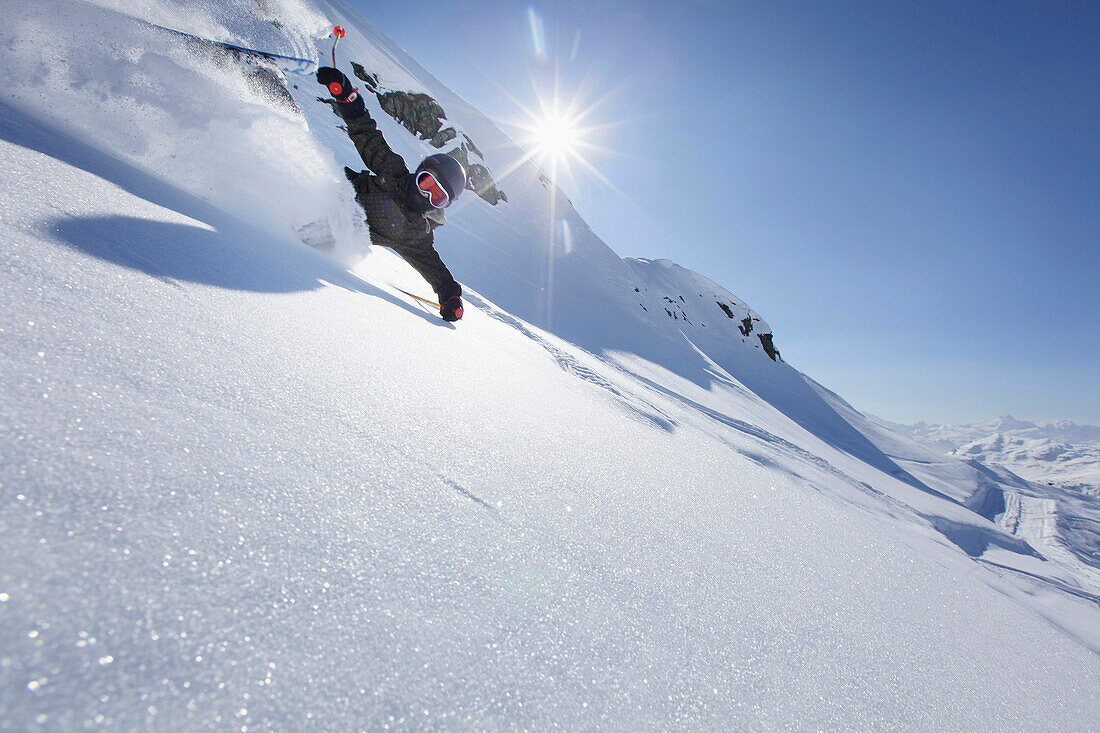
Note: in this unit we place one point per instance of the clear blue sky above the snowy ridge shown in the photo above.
(908, 192)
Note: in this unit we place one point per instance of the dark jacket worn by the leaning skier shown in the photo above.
(399, 217)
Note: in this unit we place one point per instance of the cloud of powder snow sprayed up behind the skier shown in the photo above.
(214, 129)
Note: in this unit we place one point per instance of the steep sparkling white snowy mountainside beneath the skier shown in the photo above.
(245, 486)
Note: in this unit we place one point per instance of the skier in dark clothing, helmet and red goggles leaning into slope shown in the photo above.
(402, 209)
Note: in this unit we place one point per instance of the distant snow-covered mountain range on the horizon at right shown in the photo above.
(1059, 453)
